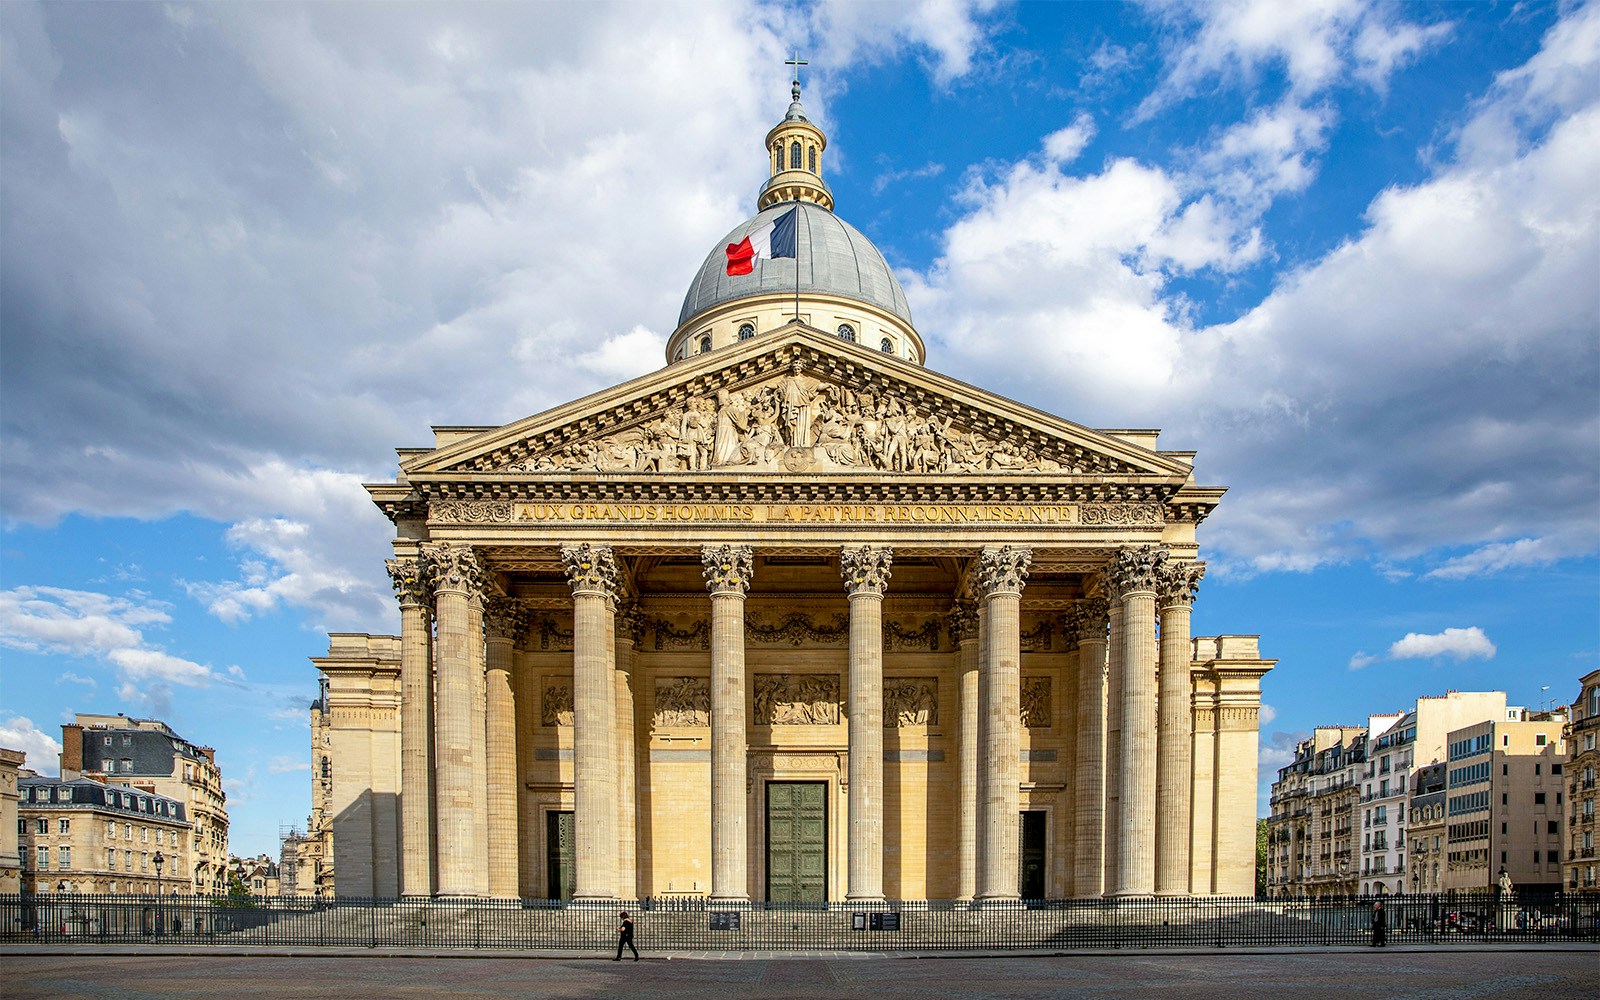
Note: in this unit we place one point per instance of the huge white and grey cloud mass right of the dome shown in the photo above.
(1474, 286)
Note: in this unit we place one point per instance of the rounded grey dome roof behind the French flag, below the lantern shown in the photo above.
(834, 260)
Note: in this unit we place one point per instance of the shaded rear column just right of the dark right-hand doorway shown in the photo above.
(1089, 860)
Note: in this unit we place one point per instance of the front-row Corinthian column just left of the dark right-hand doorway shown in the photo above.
(1002, 574)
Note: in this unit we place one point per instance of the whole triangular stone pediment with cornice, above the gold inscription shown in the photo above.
(796, 402)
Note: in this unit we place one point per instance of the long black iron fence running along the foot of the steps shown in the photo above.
(694, 926)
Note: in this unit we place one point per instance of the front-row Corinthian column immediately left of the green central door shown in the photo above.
(727, 572)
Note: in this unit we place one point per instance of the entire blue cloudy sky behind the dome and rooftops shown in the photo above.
(1346, 252)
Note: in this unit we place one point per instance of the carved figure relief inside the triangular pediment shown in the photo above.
(804, 425)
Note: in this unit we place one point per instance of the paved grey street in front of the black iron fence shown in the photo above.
(1348, 974)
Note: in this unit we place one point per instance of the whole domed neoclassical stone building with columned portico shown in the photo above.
(794, 618)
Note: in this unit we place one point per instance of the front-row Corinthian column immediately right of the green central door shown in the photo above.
(866, 572)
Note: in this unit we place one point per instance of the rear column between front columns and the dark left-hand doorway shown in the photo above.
(505, 622)
